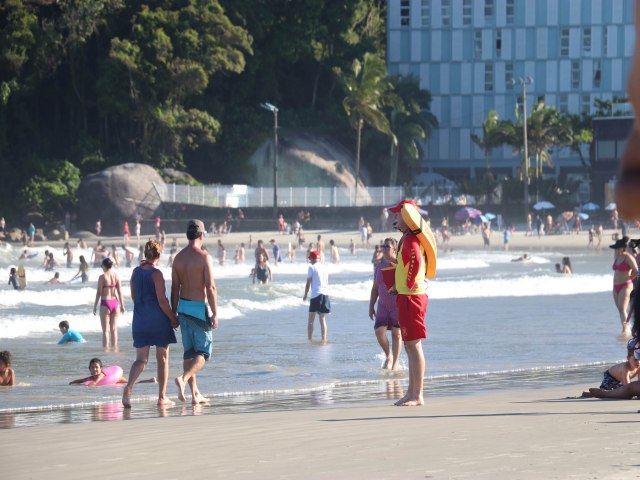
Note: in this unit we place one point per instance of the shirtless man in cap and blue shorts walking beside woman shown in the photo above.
(192, 290)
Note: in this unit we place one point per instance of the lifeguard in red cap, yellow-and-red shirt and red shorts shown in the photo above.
(412, 304)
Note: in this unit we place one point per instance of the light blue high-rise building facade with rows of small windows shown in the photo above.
(467, 53)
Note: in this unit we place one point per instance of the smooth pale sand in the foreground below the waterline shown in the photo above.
(529, 434)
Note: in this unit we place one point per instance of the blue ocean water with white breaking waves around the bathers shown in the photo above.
(492, 324)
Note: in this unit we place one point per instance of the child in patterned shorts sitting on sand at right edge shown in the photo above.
(617, 380)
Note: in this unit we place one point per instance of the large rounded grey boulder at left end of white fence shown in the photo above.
(117, 194)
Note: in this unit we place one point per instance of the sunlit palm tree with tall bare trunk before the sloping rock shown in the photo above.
(366, 86)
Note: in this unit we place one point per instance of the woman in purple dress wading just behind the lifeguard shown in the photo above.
(386, 315)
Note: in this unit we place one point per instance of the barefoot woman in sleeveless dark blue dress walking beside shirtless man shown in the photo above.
(153, 322)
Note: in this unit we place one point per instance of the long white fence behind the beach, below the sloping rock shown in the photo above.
(234, 196)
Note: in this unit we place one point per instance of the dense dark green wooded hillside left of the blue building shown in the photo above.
(86, 84)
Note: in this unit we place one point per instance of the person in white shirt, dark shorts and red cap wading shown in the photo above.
(318, 283)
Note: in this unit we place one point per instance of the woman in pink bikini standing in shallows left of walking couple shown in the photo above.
(109, 293)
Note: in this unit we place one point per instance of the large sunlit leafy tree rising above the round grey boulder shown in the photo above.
(166, 58)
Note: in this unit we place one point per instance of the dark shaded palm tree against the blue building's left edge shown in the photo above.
(410, 121)
